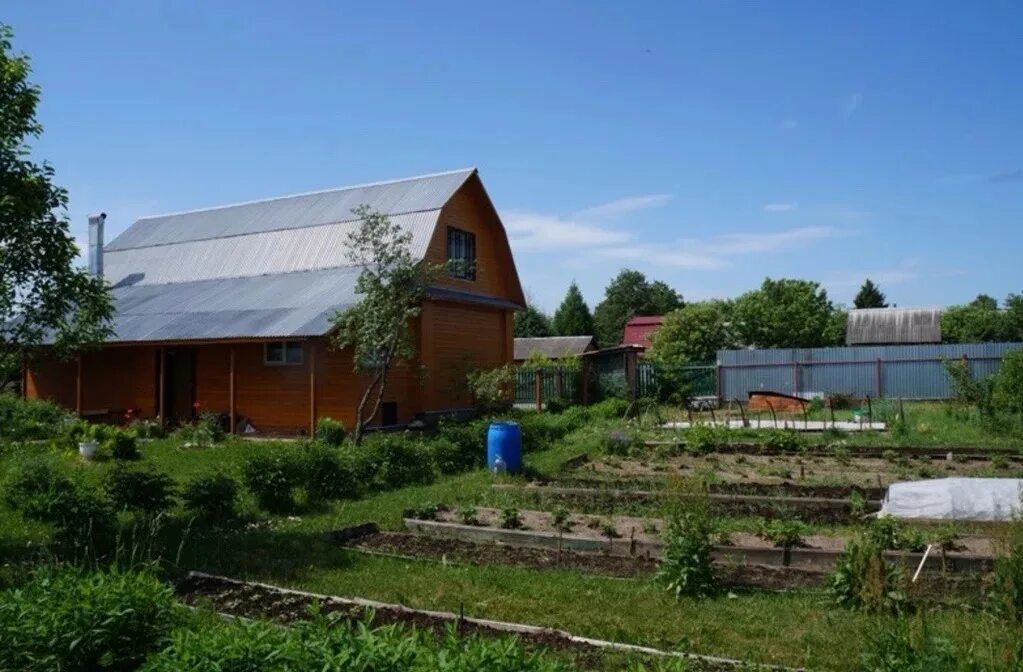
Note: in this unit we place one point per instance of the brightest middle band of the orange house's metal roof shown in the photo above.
(283, 251)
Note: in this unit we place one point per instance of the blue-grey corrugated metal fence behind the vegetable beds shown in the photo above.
(903, 372)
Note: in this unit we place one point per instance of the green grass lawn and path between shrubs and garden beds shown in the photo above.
(796, 630)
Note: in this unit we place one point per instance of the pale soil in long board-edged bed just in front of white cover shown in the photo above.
(649, 530)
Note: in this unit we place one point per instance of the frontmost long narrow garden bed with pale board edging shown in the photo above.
(252, 600)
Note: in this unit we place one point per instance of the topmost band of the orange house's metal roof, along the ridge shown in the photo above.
(394, 198)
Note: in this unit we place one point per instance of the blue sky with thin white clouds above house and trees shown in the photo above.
(706, 145)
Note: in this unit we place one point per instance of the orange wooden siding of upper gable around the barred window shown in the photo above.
(470, 210)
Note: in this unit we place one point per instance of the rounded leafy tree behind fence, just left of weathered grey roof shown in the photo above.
(785, 313)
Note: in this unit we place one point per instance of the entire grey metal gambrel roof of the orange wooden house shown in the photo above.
(273, 268)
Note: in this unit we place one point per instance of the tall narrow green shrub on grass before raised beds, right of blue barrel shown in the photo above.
(686, 566)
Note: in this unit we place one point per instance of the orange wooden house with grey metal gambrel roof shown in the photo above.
(229, 309)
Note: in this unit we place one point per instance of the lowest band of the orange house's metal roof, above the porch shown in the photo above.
(270, 306)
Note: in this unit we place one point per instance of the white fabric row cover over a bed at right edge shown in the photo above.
(956, 500)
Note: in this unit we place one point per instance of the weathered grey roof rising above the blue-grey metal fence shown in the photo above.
(894, 327)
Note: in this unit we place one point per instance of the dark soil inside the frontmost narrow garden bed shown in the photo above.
(257, 601)
